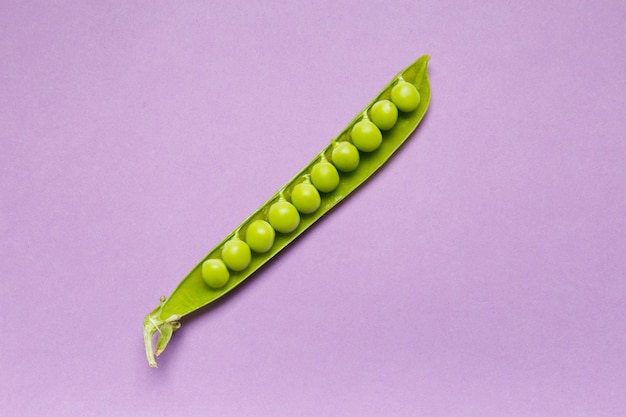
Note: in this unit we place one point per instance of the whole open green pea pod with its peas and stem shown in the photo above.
(351, 158)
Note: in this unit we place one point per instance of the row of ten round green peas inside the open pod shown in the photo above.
(284, 216)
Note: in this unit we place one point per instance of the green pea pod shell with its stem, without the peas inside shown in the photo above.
(192, 293)
